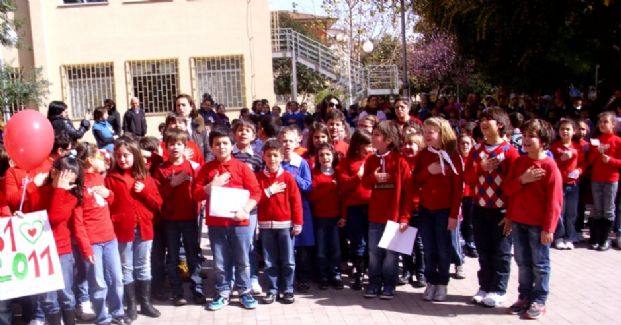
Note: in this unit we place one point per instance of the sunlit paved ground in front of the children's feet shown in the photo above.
(585, 289)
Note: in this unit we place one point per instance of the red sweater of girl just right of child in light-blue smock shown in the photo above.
(325, 196)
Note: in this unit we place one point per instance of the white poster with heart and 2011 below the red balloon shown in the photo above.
(29, 261)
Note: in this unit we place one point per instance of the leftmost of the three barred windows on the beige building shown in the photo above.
(86, 86)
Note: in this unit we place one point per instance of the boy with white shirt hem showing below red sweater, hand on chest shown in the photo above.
(280, 219)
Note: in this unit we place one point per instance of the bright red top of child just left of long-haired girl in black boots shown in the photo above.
(97, 222)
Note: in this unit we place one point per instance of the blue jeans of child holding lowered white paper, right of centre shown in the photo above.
(383, 264)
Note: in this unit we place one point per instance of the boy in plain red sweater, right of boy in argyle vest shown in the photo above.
(535, 190)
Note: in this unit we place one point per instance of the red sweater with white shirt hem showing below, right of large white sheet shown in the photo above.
(282, 210)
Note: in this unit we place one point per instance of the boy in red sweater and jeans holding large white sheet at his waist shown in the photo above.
(229, 237)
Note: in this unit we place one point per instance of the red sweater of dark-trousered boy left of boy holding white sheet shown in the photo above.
(179, 204)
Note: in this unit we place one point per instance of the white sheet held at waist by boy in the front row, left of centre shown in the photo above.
(224, 201)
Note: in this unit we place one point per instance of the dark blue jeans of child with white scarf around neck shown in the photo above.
(432, 226)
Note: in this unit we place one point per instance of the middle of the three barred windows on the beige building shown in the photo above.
(154, 83)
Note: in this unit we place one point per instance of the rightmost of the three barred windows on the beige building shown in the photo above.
(222, 77)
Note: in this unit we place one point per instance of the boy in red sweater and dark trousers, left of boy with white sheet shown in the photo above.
(180, 214)
